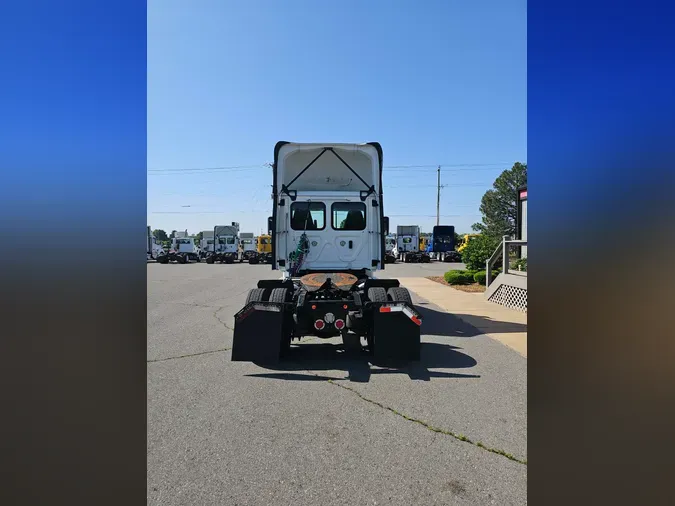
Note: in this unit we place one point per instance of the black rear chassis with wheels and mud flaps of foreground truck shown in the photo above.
(327, 305)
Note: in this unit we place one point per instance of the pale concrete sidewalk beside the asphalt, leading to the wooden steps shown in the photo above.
(505, 325)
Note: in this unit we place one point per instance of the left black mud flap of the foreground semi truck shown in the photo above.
(260, 329)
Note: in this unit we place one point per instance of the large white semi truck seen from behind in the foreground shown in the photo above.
(328, 238)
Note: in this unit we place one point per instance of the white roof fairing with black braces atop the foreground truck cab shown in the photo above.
(327, 167)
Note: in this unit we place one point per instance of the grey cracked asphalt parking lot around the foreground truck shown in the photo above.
(323, 427)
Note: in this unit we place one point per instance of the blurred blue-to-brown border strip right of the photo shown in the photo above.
(601, 139)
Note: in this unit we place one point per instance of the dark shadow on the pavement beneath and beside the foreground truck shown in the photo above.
(304, 359)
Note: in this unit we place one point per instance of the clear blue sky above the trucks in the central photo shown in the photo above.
(441, 84)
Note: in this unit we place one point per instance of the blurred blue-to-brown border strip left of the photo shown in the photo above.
(73, 164)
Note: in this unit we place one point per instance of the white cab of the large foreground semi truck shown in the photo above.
(328, 214)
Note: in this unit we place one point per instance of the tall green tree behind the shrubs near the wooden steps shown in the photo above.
(499, 205)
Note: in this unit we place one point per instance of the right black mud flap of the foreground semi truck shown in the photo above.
(396, 332)
